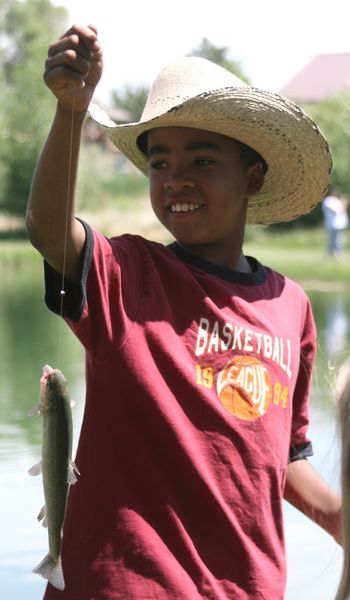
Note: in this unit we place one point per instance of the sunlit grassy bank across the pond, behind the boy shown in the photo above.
(299, 254)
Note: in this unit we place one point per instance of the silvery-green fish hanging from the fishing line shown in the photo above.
(58, 470)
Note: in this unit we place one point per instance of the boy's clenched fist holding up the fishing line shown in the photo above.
(74, 67)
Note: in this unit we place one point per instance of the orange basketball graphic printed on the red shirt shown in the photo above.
(244, 387)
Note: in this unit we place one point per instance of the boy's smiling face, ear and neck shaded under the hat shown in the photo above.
(200, 189)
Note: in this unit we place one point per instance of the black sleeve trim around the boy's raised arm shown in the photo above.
(74, 299)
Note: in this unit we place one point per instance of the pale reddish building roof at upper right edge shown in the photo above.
(326, 75)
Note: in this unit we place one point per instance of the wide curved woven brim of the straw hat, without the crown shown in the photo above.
(297, 154)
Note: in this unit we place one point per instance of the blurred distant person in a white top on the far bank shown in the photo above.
(336, 221)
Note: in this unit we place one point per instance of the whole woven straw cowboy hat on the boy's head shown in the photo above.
(194, 92)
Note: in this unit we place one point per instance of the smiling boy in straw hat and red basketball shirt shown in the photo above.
(198, 359)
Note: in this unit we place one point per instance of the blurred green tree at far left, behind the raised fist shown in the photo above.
(26, 106)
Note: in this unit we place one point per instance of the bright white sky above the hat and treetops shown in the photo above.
(272, 39)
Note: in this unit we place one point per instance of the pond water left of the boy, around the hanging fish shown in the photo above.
(29, 337)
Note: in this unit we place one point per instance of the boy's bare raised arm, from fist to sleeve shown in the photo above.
(72, 71)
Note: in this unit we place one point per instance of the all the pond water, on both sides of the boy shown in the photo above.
(29, 337)
